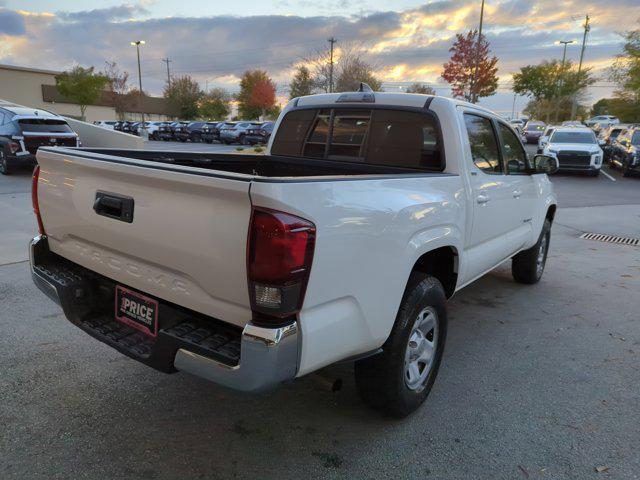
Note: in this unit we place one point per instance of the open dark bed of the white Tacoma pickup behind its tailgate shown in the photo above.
(254, 167)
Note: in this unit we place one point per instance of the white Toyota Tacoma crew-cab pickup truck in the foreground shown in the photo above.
(342, 243)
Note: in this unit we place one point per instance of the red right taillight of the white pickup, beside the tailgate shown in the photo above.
(280, 253)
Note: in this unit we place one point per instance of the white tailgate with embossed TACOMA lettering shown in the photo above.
(186, 243)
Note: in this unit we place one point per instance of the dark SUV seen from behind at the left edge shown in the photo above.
(24, 130)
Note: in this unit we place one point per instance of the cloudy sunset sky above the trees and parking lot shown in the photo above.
(216, 41)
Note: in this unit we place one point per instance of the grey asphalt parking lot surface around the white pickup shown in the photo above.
(537, 381)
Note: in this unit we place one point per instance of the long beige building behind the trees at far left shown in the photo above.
(36, 88)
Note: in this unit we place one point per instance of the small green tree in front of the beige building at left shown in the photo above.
(81, 86)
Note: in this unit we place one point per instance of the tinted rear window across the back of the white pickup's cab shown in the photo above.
(377, 136)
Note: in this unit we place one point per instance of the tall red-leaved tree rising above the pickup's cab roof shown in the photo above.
(471, 72)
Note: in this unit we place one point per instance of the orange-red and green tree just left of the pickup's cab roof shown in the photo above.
(257, 96)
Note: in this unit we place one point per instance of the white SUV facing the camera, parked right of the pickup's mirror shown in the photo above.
(577, 149)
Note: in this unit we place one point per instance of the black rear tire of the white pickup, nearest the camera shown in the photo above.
(382, 380)
